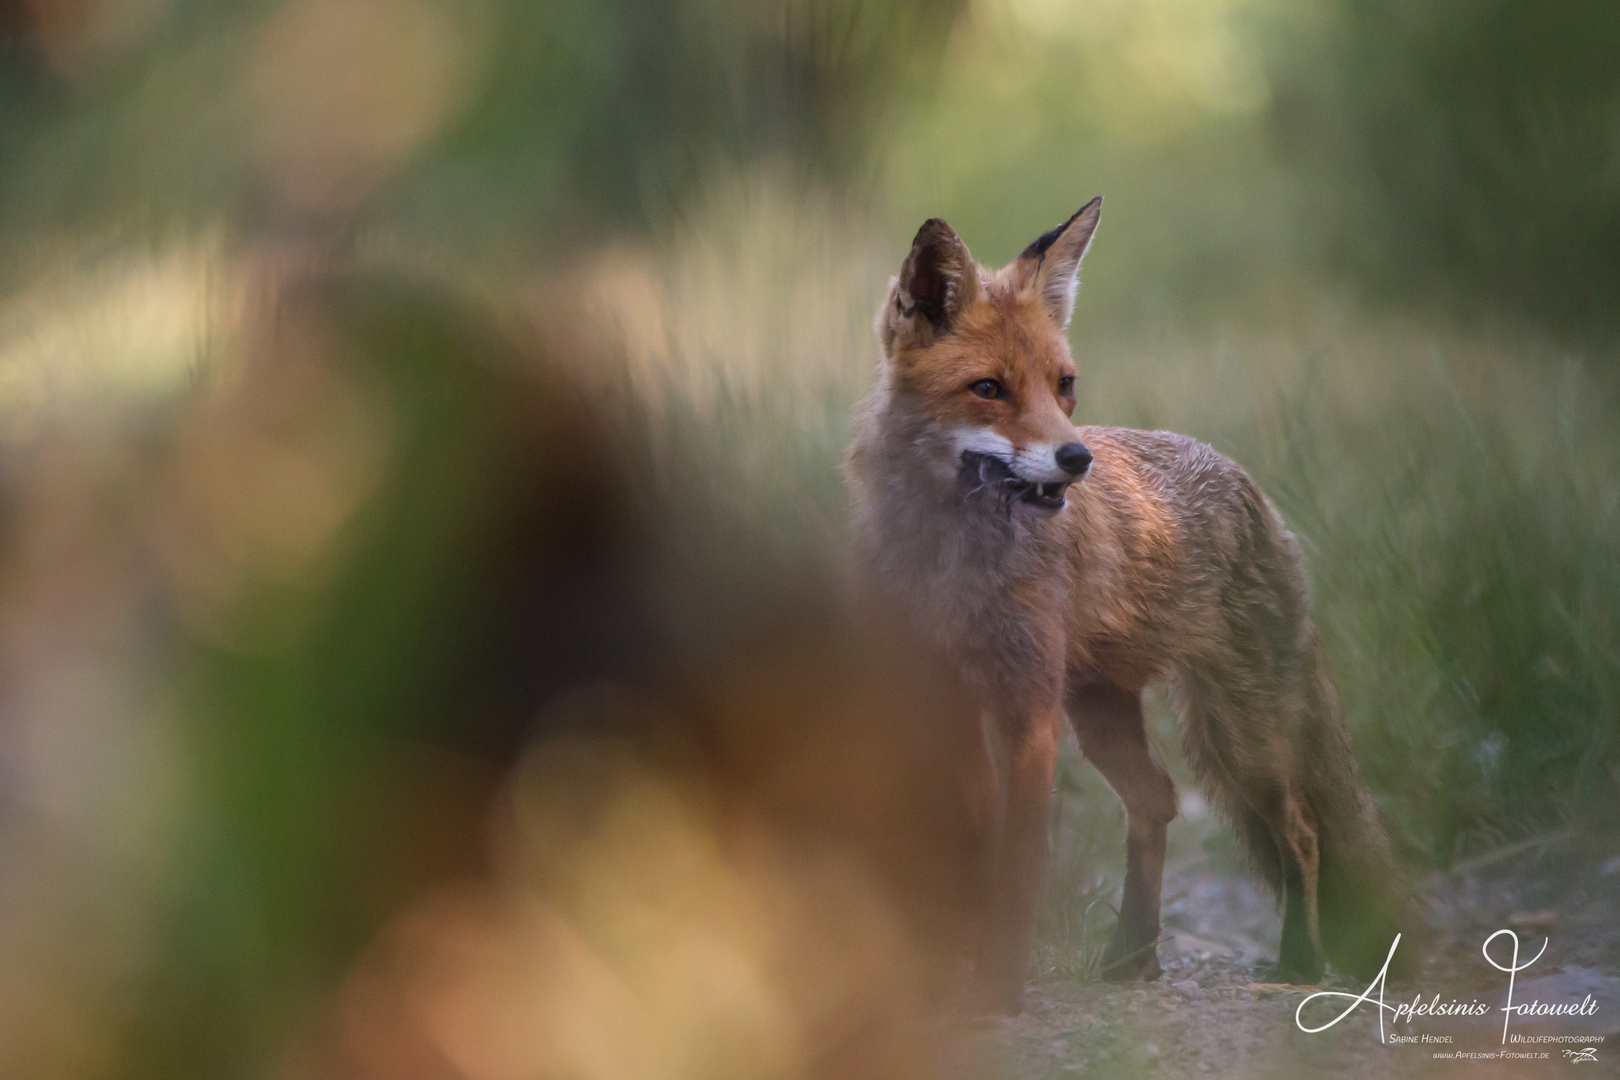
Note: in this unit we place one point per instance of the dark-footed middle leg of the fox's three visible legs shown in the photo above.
(1109, 723)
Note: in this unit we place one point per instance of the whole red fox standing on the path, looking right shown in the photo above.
(1064, 571)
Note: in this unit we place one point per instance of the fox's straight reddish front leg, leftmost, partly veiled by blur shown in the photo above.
(1030, 755)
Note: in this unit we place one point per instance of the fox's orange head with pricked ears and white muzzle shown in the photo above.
(981, 362)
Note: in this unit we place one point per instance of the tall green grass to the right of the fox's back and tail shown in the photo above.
(1470, 580)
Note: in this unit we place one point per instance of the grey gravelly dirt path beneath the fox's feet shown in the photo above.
(1208, 1018)
